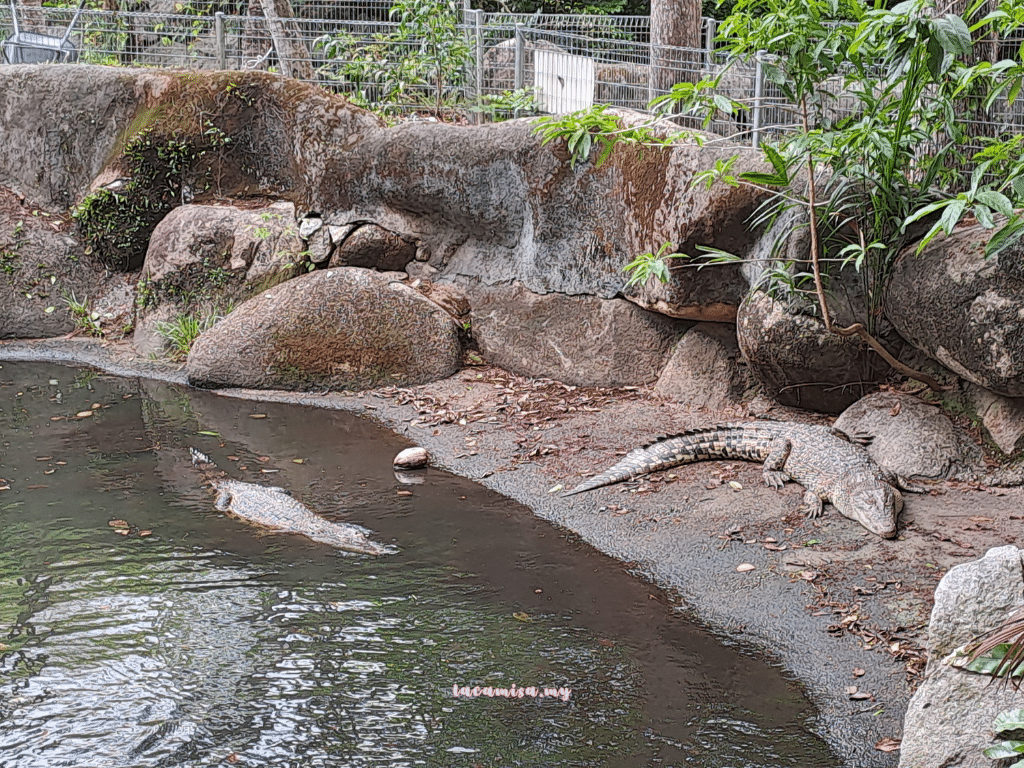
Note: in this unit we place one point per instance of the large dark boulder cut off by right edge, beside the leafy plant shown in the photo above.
(963, 310)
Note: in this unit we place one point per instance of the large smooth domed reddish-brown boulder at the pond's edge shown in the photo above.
(344, 329)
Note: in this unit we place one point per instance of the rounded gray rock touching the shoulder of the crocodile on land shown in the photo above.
(913, 439)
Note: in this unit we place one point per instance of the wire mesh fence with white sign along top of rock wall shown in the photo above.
(487, 63)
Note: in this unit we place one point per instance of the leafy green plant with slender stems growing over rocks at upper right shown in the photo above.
(861, 175)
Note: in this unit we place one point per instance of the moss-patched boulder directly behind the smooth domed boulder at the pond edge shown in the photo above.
(203, 260)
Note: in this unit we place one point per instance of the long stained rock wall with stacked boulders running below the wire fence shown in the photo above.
(535, 241)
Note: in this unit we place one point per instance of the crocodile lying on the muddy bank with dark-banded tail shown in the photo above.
(825, 461)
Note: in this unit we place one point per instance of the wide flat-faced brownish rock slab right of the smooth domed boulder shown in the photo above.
(576, 339)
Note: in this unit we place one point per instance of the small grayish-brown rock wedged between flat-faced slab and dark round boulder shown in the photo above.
(706, 369)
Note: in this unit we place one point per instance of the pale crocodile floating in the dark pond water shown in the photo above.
(273, 508)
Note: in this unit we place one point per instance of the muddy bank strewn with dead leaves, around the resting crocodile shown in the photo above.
(835, 606)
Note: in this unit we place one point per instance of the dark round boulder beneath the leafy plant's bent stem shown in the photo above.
(800, 364)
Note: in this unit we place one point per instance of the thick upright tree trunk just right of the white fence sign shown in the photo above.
(674, 24)
